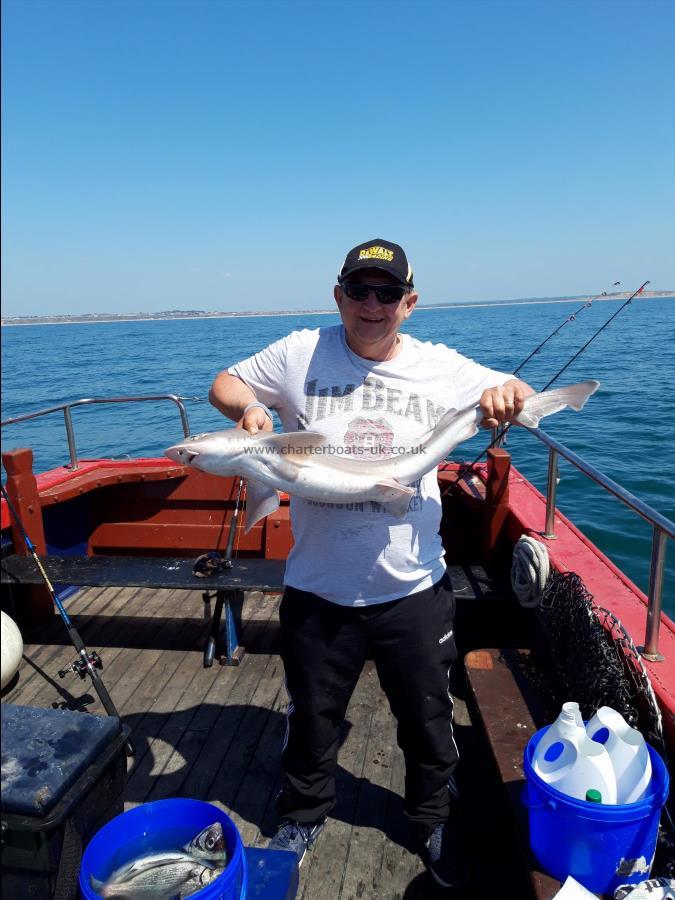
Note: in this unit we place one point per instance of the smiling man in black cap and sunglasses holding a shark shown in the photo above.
(357, 576)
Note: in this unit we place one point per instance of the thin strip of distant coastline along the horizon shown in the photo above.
(96, 318)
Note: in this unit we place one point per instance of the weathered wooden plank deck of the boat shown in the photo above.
(216, 734)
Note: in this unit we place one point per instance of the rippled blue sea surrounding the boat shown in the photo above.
(625, 430)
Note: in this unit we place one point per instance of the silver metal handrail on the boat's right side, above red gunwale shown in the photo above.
(661, 529)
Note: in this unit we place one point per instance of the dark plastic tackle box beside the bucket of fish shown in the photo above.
(63, 777)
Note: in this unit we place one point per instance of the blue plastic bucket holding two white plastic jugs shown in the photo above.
(600, 845)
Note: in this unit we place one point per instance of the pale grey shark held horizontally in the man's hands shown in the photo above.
(304, 464)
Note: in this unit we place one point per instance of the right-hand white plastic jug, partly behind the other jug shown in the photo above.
(627, 751)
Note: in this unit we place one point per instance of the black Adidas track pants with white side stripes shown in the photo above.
(323, 646)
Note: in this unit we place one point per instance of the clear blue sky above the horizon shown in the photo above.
(226, 155)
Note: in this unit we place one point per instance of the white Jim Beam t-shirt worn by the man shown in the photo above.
(358, 554)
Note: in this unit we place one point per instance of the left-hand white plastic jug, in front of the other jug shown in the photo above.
(568, 760)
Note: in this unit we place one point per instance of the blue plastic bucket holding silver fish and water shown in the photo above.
(163, 825)
